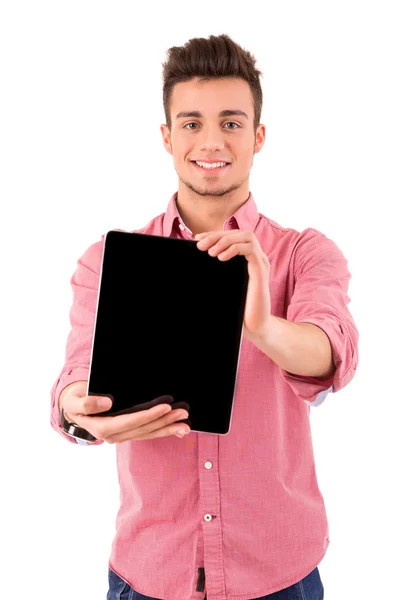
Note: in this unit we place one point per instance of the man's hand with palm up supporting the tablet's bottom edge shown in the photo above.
(159, 421)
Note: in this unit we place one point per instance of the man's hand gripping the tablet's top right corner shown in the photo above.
(225, 245)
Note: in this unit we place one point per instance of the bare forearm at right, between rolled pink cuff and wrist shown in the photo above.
(299, 348)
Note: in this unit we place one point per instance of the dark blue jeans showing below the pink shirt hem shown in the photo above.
(309, 588)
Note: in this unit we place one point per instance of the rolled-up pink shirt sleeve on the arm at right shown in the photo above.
(321, 282)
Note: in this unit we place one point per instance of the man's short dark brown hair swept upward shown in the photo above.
(212, 58)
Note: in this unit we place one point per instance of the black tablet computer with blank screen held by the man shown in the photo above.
(169, 322)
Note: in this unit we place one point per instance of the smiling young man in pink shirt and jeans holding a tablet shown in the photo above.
(238, 516)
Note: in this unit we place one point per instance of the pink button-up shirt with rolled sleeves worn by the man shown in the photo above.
(245, 507)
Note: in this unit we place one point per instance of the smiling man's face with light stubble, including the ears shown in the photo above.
(200, 133)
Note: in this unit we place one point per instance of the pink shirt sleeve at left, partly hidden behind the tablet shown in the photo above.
(85, 285)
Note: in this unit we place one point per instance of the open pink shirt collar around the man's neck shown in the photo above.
(245, 218)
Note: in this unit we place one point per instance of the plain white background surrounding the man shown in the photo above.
(81, 153)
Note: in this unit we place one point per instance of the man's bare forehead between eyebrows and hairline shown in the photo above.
(212, 96)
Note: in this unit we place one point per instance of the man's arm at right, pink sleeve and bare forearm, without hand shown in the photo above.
(315, 345)
